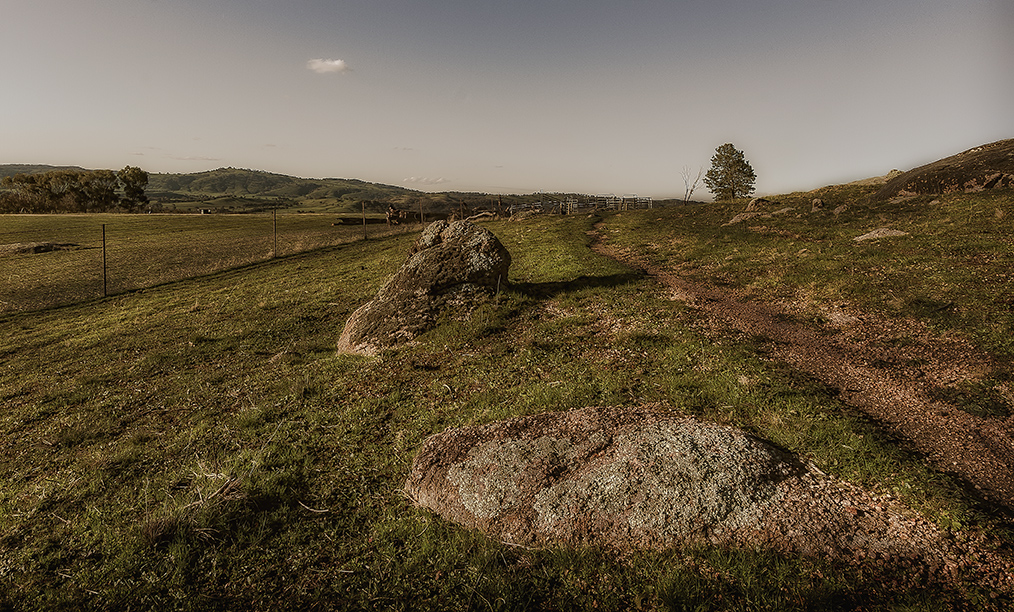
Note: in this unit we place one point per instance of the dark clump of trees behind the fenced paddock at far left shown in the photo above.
(71, 191)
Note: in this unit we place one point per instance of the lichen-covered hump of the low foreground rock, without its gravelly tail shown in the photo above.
(626, 478)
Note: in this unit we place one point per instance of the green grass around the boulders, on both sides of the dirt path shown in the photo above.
(199, 445)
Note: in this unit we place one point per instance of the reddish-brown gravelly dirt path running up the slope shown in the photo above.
(890, 370)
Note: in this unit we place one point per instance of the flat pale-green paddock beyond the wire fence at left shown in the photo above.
(144, 251)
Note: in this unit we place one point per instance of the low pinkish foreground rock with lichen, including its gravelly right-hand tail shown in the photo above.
(648, 478)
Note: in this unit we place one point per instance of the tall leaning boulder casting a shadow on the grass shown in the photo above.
(454, 268)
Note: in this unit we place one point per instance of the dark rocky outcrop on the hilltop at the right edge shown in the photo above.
(987, 168)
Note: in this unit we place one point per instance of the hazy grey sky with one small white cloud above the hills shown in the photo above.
(596, 97)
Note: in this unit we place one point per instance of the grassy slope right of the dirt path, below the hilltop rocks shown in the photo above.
(954, 271)
